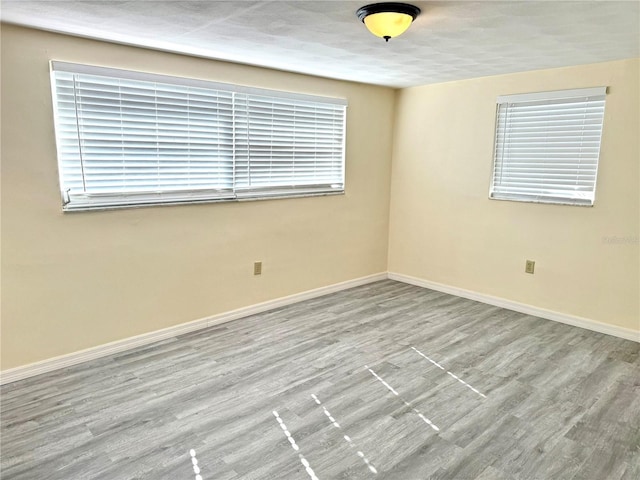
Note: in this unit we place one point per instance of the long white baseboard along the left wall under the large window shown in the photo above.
(30, 370)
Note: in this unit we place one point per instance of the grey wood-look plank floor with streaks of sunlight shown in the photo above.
(360, 380)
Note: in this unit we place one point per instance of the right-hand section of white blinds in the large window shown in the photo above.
(283, 145)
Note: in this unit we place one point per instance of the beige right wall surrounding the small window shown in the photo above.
(444, 229)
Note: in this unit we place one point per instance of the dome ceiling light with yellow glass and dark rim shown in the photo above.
(389, 19)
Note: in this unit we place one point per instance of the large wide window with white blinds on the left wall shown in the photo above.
(128, 138)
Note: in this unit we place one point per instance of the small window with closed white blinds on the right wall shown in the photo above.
(547, 146)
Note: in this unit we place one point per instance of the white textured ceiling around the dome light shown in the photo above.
(450, 40)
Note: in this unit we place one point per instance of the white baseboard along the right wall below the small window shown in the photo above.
(573, 320)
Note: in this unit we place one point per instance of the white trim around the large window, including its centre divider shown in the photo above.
(132, 200)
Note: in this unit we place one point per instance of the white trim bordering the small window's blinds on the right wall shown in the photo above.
(542, 97)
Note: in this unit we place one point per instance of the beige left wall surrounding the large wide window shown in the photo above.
(77, 280)
